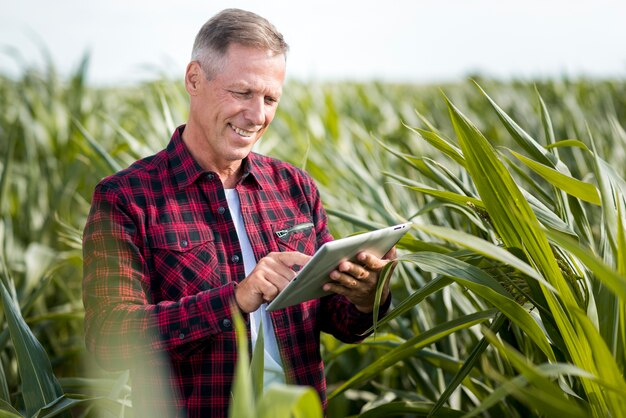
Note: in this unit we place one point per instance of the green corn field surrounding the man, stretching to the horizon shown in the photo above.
(509, 292)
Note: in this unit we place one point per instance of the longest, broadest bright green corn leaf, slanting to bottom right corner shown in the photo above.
(519, 228)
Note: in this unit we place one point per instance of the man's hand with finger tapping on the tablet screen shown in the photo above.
(270, 276)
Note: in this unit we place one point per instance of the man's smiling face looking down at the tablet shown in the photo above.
(230, 111)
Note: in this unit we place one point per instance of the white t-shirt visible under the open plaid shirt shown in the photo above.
(273, 365)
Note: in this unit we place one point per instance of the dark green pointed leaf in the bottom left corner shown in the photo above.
(39, 384)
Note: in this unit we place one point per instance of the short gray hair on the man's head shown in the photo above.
(234, 26)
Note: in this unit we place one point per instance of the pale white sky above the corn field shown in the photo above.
(391, 40)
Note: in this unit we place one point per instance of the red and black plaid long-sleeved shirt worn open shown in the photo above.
(161, 259)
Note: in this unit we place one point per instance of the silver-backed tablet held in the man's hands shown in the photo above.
(307, 284)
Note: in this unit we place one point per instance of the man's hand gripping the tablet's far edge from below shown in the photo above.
(357, 281)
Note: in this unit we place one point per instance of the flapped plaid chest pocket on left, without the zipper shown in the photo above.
(184, 261)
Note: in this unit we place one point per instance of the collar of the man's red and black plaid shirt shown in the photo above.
(186, 170)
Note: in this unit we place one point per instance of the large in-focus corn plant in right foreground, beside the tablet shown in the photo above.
(536, 258)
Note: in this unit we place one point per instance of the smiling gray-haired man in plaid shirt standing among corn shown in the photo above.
(175, 239)
